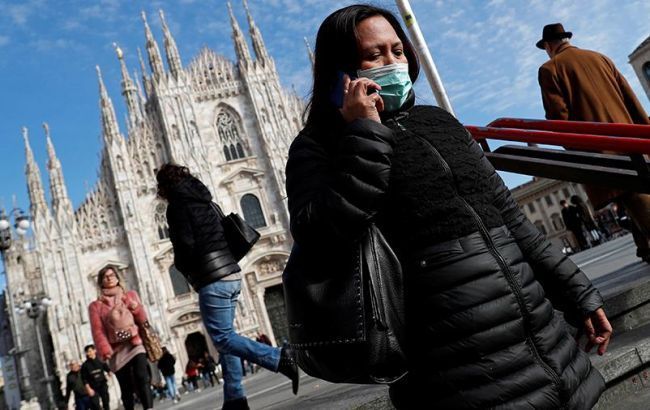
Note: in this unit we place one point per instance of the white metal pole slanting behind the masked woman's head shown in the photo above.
(426, 60)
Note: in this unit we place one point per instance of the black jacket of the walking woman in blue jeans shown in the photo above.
(201, 252)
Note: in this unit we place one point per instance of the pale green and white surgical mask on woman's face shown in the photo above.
(395, 83)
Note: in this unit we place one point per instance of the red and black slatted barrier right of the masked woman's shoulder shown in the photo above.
(582, 161)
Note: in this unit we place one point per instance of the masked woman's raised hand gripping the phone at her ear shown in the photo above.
(356, 101)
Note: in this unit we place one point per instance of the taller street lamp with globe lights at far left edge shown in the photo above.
(21, 225)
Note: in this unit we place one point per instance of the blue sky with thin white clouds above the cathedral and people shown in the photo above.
(484, 51)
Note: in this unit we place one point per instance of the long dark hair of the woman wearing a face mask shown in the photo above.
(336, 50)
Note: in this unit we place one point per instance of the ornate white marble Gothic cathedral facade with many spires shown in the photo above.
(231, 123)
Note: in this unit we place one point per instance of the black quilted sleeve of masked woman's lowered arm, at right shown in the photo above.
(566, 286)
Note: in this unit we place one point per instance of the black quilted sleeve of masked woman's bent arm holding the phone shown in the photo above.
(333, 194)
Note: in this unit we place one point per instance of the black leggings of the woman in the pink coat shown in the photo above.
(134, 377)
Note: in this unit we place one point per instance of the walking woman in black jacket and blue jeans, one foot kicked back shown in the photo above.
(202, 255)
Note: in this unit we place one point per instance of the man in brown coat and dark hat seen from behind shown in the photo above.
(583, 85)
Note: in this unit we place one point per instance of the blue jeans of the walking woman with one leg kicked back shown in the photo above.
(218, 302)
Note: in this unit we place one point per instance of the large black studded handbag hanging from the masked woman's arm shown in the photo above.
(346, 311)
